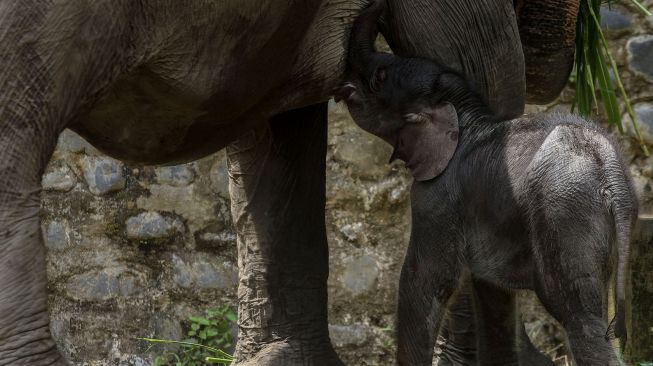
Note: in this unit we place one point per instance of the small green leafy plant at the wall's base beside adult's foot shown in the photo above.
(207, 337)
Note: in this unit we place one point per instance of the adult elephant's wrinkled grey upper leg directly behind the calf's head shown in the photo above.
(478, 38)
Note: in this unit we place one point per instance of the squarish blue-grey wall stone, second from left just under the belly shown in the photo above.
(103, 175)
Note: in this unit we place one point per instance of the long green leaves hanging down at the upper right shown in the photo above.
(594, 61)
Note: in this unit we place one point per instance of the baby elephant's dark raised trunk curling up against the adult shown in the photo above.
(363, 36)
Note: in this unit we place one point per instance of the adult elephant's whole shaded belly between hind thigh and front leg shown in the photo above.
(215, 81)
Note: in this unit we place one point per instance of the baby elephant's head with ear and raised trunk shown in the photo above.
(401, 100)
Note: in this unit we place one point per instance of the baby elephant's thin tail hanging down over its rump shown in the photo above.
(624, 212)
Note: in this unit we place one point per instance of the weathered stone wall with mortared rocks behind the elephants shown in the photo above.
(134, 250)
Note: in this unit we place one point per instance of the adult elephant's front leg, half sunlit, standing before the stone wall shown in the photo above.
(278, 199)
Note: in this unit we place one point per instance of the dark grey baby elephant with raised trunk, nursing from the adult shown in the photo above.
(541, 202)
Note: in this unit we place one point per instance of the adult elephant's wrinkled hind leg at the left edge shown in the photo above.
(25, 149)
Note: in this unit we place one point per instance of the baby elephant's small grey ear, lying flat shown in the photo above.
(427, 141)
